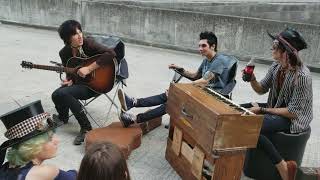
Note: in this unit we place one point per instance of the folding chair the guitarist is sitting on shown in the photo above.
(122, 72)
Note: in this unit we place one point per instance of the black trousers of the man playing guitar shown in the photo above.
(66, 97)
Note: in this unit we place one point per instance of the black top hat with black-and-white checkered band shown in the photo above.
(25, 123)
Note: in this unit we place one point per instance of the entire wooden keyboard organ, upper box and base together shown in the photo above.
(208, 136)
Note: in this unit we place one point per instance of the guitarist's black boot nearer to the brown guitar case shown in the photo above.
(85, 127)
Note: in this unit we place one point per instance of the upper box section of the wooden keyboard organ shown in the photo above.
(213, 124)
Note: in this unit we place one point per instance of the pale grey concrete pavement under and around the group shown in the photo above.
(149, 75)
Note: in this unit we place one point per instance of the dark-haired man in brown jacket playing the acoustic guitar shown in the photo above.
(66, 97)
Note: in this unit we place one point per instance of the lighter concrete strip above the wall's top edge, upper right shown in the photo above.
(306, 13)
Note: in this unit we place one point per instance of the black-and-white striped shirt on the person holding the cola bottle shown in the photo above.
(295, 94)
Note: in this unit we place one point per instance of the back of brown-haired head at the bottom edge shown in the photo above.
(103, 161)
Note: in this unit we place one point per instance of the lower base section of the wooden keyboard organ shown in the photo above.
(191, 162)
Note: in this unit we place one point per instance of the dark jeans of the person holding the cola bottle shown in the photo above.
(271, 124)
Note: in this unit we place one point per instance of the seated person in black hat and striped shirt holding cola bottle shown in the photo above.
(289, 105)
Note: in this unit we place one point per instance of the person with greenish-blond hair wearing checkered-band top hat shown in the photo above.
(31, 140)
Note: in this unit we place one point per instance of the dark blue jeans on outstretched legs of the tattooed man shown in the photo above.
(156, 100)
